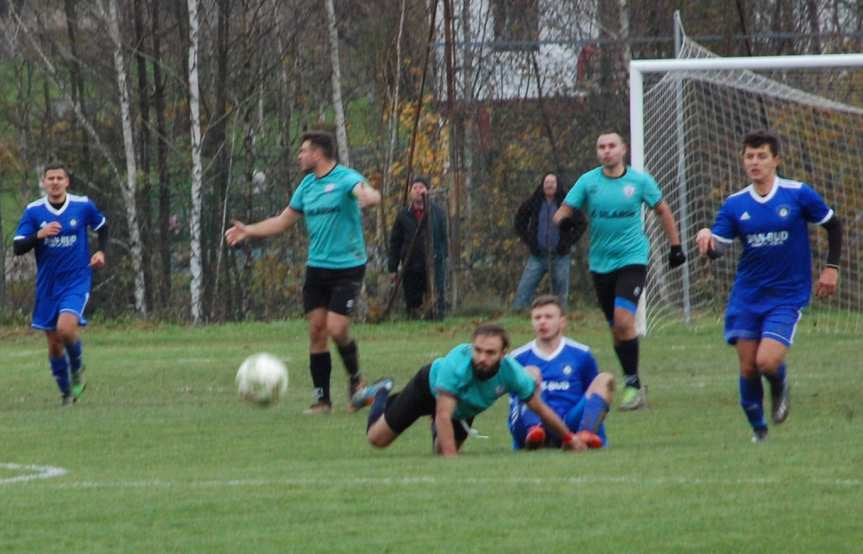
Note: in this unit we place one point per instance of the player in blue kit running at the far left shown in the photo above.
(56, 227)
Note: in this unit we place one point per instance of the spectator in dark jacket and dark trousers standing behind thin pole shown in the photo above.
(415, 220)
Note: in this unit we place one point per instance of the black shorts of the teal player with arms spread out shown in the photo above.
(333, 289)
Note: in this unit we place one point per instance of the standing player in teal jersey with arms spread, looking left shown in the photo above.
(329, 198)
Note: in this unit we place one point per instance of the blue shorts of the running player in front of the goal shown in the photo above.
(778, 323)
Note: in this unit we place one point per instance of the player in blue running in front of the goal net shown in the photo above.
(774, 275)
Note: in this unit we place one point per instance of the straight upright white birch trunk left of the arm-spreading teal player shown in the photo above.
(197, 170)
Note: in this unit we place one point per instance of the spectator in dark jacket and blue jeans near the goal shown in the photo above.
(548, 244)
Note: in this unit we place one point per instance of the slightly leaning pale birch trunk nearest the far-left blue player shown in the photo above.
(131, 168)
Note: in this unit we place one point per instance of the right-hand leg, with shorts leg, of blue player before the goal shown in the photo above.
(777, 335)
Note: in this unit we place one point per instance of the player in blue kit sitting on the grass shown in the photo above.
(571, 384)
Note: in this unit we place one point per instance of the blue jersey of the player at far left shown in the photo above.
(62, 261)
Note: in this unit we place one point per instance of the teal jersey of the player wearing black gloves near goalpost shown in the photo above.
(617, 236)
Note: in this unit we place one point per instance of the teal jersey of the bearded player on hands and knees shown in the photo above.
(453, 374)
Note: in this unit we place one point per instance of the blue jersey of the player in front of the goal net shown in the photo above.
(775, 267)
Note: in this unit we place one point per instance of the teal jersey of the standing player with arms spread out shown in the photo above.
(333, 219)
